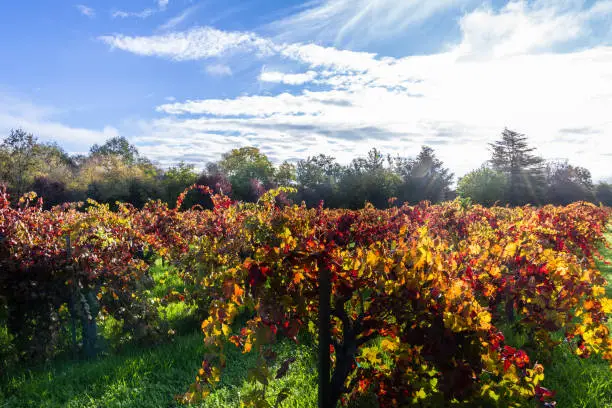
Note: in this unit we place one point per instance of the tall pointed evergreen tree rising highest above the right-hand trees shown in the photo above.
(512, 156)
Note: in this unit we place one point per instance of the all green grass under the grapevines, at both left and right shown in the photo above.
(141, 377)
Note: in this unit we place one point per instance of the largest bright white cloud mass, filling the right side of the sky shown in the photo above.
(505, 70)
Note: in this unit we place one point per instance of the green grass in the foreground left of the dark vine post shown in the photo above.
(150, 378)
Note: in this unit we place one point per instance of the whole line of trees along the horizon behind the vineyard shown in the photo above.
(116, 171)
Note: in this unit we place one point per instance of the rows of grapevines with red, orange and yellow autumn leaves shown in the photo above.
(424, 303)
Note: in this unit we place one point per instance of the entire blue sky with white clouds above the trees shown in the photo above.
(191, 79)
